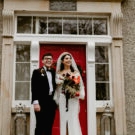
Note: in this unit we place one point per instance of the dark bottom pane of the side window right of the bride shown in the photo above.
(102, 91)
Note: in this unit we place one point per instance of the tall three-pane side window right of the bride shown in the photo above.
(102, 73)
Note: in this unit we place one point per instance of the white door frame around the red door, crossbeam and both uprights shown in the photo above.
(89, 42)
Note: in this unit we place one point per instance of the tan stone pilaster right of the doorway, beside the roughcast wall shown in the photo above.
(118, 76)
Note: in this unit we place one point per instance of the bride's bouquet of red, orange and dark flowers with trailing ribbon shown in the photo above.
(70, 87)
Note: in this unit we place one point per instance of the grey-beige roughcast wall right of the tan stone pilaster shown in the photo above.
(128, 9)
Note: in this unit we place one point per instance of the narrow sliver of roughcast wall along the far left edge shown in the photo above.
(1, 6)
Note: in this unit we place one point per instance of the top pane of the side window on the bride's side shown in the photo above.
(101, 54)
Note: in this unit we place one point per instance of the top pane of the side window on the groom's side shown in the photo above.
(22, 53)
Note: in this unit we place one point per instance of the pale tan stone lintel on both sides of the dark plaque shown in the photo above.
(43, 5)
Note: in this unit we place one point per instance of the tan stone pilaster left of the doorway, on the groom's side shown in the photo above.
(6, 73)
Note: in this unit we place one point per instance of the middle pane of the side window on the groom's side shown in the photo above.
(22, 71)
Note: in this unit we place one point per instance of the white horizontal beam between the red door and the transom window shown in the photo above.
(63, 38)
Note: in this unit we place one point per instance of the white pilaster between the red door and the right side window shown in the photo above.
(91, 103)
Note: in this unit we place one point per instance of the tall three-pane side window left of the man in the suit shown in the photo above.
(22, 73)
